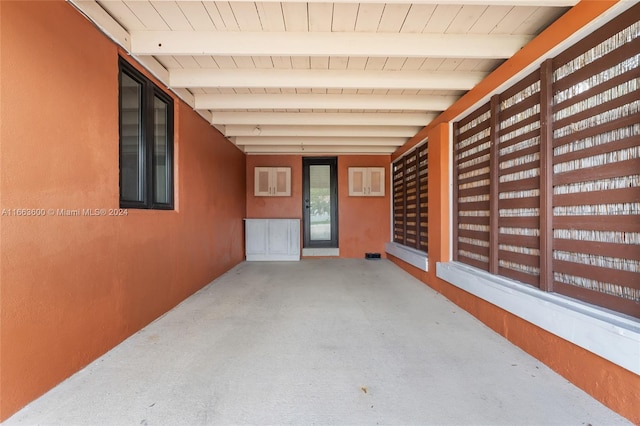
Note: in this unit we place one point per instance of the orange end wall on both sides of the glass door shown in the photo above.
(363, 221)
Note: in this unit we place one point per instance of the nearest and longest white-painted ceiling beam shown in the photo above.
(354, 44)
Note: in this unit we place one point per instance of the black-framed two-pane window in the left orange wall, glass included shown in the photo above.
(146, 142)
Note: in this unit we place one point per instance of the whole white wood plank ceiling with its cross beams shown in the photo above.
(316, 77)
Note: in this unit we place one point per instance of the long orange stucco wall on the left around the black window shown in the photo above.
(73, 287)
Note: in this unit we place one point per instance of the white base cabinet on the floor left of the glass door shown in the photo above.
(272, 239)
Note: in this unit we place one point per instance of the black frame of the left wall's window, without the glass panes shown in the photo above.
(150, 91)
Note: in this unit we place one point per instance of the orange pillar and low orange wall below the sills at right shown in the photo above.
(612, 385)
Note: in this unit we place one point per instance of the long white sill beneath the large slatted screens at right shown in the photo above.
(615, 337)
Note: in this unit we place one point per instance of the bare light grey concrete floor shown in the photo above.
(349, 342)
